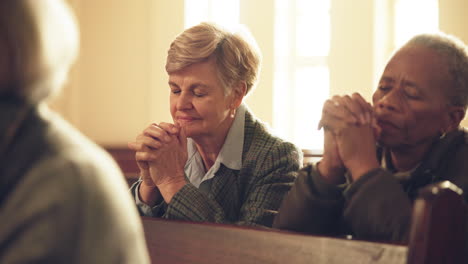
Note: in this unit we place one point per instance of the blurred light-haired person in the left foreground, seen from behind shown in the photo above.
(62, 198)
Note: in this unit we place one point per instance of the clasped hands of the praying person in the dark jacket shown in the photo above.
(350, 132)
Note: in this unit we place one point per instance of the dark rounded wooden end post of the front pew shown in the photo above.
(438, 232)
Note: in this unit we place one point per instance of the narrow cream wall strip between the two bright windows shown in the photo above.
(351, 52)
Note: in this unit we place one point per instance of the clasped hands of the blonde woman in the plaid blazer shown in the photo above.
(161, 154)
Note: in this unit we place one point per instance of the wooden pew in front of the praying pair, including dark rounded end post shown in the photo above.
(432, 240)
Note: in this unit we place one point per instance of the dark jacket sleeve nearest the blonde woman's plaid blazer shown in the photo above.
(312, 205)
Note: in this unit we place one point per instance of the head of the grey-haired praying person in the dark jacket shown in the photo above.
(423, 91)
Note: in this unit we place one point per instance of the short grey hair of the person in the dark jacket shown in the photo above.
(455, 53)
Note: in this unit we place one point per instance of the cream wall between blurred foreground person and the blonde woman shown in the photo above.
(119, 84)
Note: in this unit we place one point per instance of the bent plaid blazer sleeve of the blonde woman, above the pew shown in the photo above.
(262, 198)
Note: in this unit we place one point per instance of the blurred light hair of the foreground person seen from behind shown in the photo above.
(41, 39)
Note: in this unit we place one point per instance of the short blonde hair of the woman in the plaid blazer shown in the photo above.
(236, 54)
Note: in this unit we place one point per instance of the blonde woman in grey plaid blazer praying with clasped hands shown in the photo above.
(216, 162)
